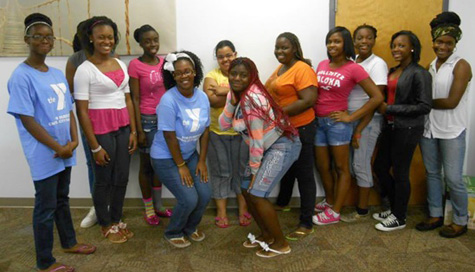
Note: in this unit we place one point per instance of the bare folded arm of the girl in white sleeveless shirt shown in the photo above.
(462, 75)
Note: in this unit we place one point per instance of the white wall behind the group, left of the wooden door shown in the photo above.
(251, 25)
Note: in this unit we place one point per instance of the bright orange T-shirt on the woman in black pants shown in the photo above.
(284, 89)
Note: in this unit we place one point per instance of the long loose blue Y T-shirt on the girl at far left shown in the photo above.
(44, 96)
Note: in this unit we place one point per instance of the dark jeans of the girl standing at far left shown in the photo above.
(52, 206)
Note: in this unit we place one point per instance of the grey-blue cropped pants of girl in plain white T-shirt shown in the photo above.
(360, 158)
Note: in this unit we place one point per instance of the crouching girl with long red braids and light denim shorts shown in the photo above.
(274, 145)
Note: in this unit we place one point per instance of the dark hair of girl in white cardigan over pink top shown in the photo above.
(88, 28)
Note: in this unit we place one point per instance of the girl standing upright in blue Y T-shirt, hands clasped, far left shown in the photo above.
(42, 106)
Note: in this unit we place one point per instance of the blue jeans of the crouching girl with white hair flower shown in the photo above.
(191, 201)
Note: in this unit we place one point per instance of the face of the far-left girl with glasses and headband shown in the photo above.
(40, 39)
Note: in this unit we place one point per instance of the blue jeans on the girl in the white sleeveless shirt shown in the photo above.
(447, 154)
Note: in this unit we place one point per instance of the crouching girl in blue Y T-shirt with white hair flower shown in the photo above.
(183, 120)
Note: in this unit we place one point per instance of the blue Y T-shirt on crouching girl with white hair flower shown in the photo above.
(188, 117)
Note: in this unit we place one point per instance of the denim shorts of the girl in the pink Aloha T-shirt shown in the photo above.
(332, 133)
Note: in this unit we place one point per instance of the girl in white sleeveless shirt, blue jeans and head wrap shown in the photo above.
(443, 143)
